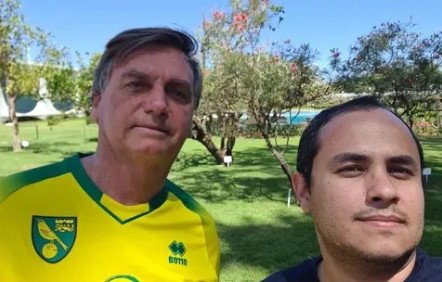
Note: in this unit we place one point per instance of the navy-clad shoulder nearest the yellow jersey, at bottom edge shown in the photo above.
(305, 271)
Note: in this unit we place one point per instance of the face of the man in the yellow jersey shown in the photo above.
(146, 108)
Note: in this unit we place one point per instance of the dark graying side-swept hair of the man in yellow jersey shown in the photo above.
(129, 41)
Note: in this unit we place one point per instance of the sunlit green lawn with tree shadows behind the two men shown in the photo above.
(259, 234)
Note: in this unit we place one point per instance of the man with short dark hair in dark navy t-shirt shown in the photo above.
(359, 176)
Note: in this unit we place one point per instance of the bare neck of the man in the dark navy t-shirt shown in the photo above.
(352, 270)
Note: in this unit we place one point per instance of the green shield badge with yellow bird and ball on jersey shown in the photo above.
(53, 237)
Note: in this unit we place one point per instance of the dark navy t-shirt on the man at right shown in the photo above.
(426, 269)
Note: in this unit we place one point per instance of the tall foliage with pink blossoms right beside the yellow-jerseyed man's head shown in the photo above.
(225, 38)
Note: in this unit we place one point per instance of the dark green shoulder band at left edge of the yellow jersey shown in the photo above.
(17, 181)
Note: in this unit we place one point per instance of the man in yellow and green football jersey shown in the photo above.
(113, 215)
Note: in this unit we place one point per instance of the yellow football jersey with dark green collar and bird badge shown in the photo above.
(56, 225)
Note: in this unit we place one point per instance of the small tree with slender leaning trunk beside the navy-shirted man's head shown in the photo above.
(278, 82)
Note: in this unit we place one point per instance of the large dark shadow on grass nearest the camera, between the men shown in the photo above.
(268, 246)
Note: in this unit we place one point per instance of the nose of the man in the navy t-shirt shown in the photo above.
(381, 190)
